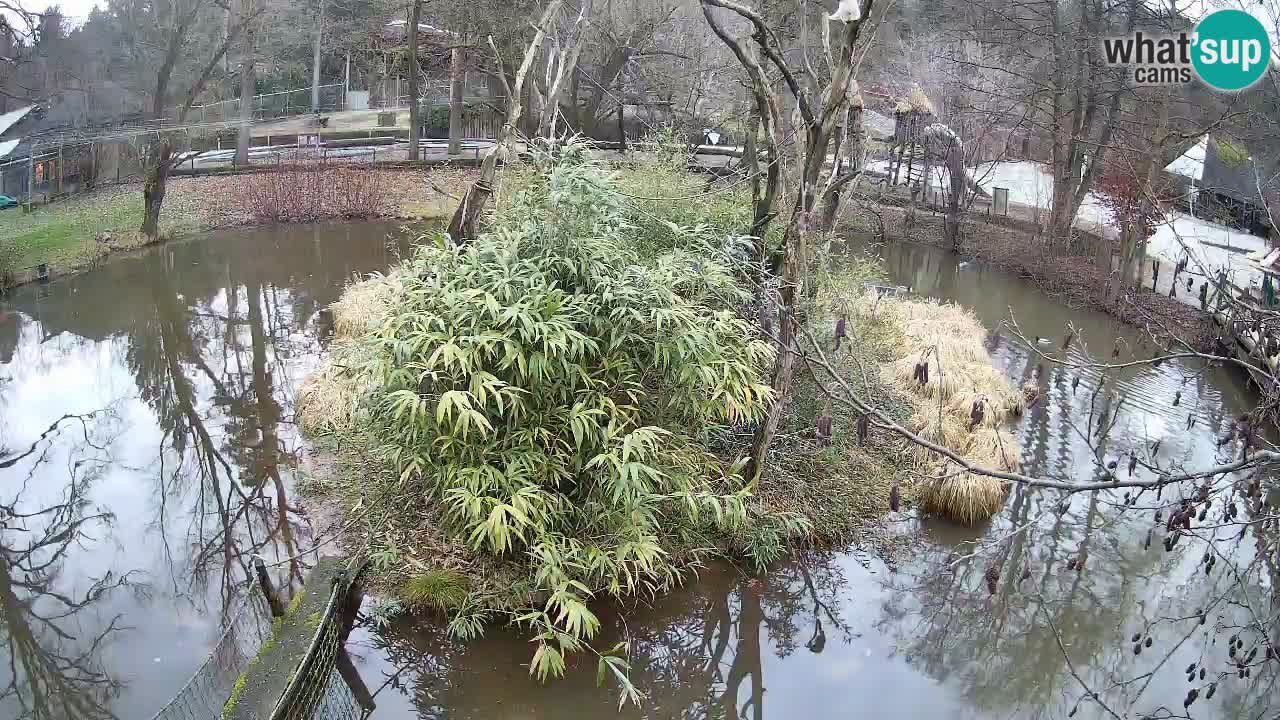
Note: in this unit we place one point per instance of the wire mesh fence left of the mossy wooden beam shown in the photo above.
(208, 690)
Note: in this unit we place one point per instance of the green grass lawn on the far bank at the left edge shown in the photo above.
(65, 234)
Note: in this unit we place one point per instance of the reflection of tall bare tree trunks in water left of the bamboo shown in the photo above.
(209, 371)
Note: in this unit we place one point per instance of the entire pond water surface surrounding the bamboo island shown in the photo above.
(176, 466)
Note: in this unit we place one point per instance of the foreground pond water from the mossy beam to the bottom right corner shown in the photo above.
(733, 648)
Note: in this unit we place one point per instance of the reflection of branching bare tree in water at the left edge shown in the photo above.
(51, 669)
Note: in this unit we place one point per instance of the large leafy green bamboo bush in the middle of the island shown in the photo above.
(548, 391)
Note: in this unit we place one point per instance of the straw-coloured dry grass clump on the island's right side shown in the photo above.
(961, 404)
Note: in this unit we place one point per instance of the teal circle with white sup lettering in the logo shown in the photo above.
(1232, 51)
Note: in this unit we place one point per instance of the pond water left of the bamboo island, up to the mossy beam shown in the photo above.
(144, 508)
